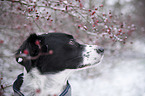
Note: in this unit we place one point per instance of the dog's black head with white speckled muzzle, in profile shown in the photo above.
(55, 52)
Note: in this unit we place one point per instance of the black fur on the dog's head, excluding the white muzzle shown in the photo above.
(65, 55)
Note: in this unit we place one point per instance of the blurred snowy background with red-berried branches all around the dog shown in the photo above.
(116, 25)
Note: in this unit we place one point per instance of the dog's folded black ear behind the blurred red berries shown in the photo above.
(29, 48)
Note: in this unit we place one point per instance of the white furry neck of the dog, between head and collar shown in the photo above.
(45, 85)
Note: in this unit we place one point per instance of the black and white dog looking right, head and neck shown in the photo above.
(49, 59)
